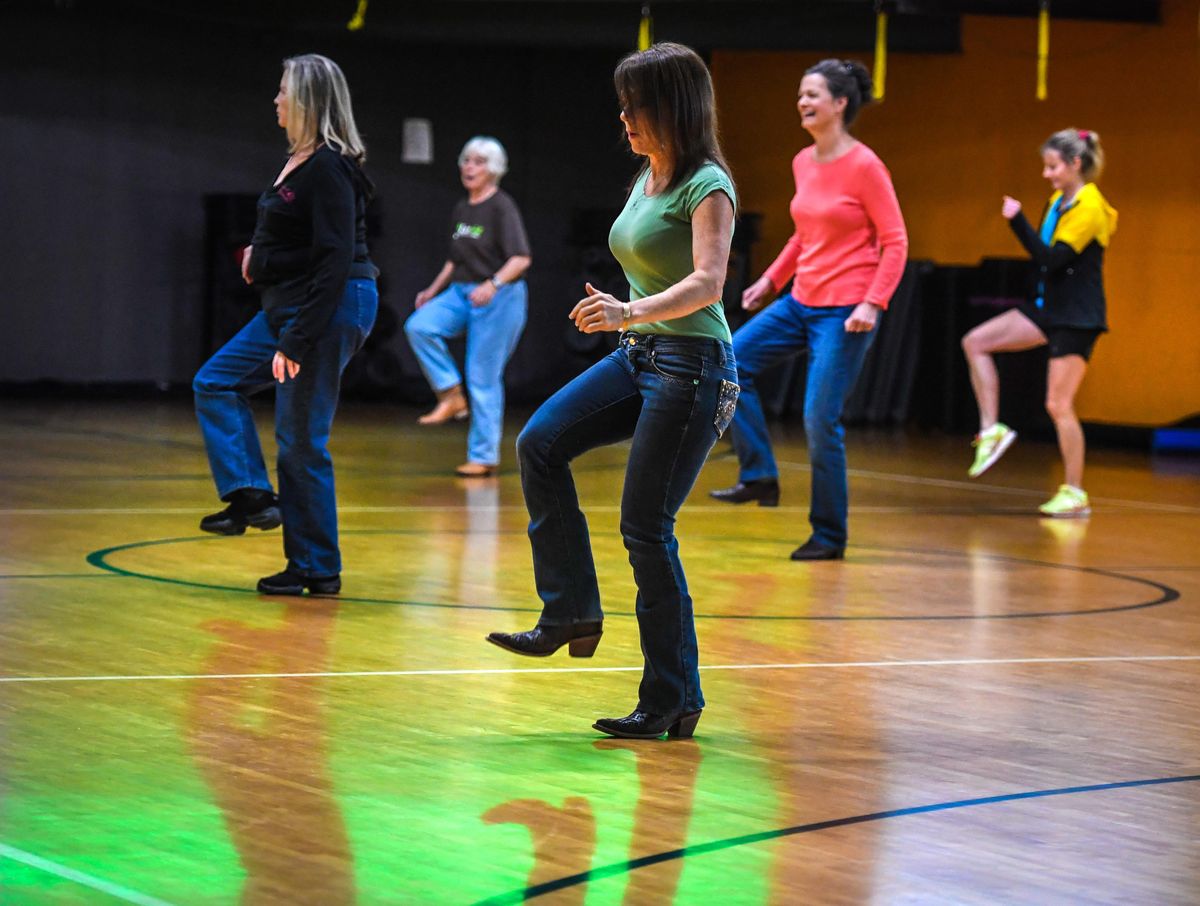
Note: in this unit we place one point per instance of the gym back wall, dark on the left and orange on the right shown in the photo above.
(118, 118)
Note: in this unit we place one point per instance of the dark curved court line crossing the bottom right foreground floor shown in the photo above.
(625, 868)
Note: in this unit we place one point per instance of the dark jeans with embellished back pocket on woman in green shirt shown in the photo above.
(674, 397)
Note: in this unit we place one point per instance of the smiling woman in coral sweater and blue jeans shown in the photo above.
(845, 260)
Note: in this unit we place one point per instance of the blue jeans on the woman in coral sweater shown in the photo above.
(782, 331)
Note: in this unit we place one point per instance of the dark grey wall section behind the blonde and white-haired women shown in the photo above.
(117, 124)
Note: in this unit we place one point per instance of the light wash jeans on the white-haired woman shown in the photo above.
(493, 333)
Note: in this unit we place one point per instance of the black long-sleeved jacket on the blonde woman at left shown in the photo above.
(310, 239)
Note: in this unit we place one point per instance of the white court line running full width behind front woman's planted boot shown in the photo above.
(507, 671)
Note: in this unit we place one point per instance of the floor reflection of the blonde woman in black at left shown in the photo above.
(262, 747)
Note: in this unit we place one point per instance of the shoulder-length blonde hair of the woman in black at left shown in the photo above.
(320, 107)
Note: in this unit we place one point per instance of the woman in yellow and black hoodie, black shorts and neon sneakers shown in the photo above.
(1067, 313)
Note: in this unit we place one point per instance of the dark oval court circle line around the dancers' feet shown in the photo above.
(1166, 593)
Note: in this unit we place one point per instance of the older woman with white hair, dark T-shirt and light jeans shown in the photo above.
(479, 293)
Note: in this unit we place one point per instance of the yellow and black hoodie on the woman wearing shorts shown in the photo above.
(1070, 269)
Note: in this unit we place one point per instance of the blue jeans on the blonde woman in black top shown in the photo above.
(304, 416)
